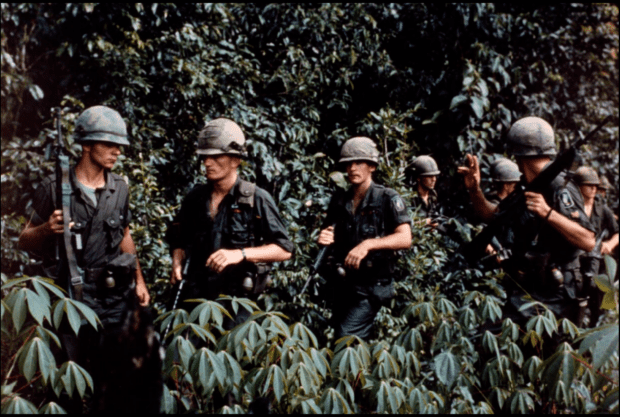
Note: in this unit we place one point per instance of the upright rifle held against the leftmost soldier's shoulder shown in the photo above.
(64, 251)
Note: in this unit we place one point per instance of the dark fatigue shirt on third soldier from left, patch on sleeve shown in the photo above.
(379, 214)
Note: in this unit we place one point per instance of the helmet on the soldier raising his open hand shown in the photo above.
(531, 136)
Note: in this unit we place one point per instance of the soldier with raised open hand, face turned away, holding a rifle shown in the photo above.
(547, 236)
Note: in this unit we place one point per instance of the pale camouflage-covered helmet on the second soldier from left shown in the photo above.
(221, 137)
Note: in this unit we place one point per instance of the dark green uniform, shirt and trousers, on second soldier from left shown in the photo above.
(237, 225)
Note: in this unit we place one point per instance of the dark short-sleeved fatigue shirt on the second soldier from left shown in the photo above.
(197, 232)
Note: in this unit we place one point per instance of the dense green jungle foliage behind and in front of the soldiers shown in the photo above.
(300, 79)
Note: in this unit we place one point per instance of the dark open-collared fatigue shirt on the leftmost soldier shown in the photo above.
(100, 229)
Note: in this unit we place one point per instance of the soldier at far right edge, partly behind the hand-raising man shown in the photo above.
(603, 220)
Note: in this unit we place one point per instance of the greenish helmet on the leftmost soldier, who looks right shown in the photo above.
(101, 124)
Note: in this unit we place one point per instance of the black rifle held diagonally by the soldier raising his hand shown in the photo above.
(513, 205)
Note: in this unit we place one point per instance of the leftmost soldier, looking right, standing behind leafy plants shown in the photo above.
(103, 246)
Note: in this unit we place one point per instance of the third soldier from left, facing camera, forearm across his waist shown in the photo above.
(371, 223)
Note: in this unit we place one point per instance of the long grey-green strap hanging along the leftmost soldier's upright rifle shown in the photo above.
(75, 277)
